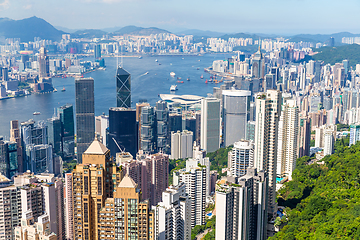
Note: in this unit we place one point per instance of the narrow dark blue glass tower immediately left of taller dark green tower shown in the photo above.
(54, 135)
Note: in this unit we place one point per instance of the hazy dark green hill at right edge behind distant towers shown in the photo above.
(334, 55)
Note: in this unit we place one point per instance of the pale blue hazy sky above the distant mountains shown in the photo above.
(255, 16)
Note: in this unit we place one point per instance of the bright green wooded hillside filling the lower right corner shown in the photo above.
(323, 201)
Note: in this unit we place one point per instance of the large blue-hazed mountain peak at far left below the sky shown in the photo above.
(28, 28)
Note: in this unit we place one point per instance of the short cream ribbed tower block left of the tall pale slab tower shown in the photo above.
(181, 144)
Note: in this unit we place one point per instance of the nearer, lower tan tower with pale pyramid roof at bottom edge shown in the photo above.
(131, 216)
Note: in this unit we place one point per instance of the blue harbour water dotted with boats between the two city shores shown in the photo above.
(148, 86)
